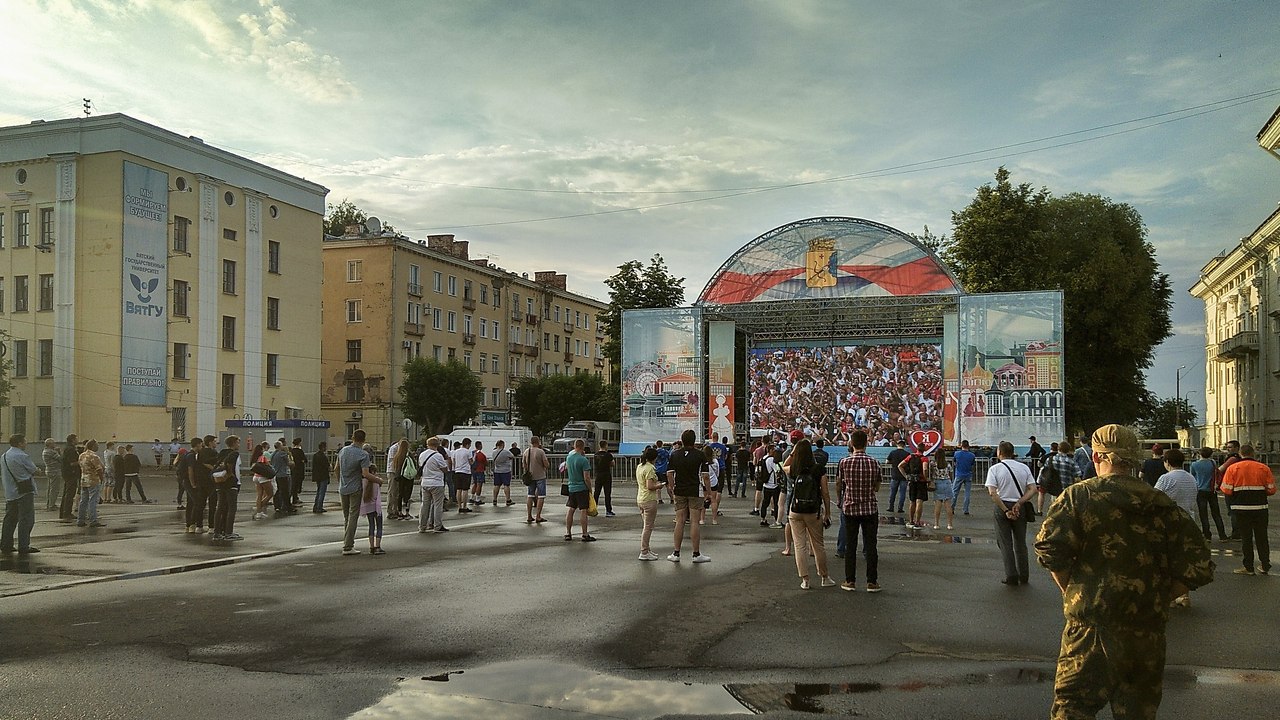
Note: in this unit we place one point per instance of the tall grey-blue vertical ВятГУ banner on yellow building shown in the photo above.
(145, 291)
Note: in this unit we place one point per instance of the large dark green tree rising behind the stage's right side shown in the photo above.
(1116, 299)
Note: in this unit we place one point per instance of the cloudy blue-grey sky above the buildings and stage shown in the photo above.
(580, 135)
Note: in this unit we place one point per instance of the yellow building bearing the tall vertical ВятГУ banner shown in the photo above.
(153, 285)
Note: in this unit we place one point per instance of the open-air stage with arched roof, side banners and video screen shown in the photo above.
(848, 325)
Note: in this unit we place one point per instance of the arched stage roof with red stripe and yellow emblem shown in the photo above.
(833, 277)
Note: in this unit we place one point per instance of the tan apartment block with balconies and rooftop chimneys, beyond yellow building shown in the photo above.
(390, 299)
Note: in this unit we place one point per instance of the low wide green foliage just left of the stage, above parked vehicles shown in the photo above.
(548, 404)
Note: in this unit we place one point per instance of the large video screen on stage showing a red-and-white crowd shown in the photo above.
(886, 390)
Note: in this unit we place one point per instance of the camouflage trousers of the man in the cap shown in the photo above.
(1099, 666)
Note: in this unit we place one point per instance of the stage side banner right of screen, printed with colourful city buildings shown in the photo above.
(1012, 368)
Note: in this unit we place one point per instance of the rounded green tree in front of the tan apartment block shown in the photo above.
(440, 395)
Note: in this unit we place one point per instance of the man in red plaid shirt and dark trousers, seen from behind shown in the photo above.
(860, 477)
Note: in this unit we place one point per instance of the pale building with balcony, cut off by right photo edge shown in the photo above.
(1241, 290)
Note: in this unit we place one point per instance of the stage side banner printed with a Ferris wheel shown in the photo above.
(662, 376)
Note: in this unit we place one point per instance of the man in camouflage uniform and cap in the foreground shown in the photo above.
(1121, 552)
